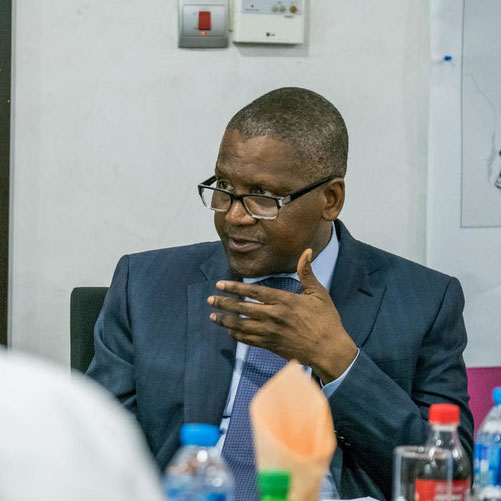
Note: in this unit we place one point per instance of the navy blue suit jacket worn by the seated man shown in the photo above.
(166, 361)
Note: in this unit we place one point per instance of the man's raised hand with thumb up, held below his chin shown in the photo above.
(306, 327)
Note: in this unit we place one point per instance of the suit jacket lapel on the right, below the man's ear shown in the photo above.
(356, 289)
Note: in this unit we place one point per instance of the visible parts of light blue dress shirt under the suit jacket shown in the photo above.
(323, 268)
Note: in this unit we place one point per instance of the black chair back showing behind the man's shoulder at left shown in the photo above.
(85, 305)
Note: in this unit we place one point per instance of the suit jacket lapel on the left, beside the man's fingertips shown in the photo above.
(210, 351)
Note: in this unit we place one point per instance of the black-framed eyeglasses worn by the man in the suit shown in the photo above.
(258, 206)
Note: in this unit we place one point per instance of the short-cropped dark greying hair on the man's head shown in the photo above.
(304, 119)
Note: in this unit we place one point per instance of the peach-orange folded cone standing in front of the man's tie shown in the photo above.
(293, 430)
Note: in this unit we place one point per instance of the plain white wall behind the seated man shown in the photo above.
(114, 126)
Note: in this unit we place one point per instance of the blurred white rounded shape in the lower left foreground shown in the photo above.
(62, 438)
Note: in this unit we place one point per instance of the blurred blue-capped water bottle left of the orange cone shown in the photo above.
(197, 472)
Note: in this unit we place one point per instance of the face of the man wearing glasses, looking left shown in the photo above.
(257, 247)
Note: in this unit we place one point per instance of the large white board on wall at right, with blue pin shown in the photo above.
(463, 221)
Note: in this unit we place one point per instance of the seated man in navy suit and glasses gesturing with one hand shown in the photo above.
(187, 335)
